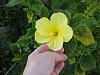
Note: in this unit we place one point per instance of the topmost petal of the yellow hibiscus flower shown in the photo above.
(59, 19)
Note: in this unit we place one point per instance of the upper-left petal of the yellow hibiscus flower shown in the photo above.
(44, 26)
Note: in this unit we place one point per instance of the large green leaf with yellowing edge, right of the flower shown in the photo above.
(83, 34)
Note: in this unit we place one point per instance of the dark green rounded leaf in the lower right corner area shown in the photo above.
(87, 62)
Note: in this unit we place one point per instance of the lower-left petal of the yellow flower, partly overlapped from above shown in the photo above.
(40, 38)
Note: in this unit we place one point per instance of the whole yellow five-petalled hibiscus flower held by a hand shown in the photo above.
(54, 31)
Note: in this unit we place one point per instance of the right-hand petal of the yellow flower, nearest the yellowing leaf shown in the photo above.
(67, 33)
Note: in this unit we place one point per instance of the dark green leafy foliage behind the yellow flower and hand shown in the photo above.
(83, 50)
